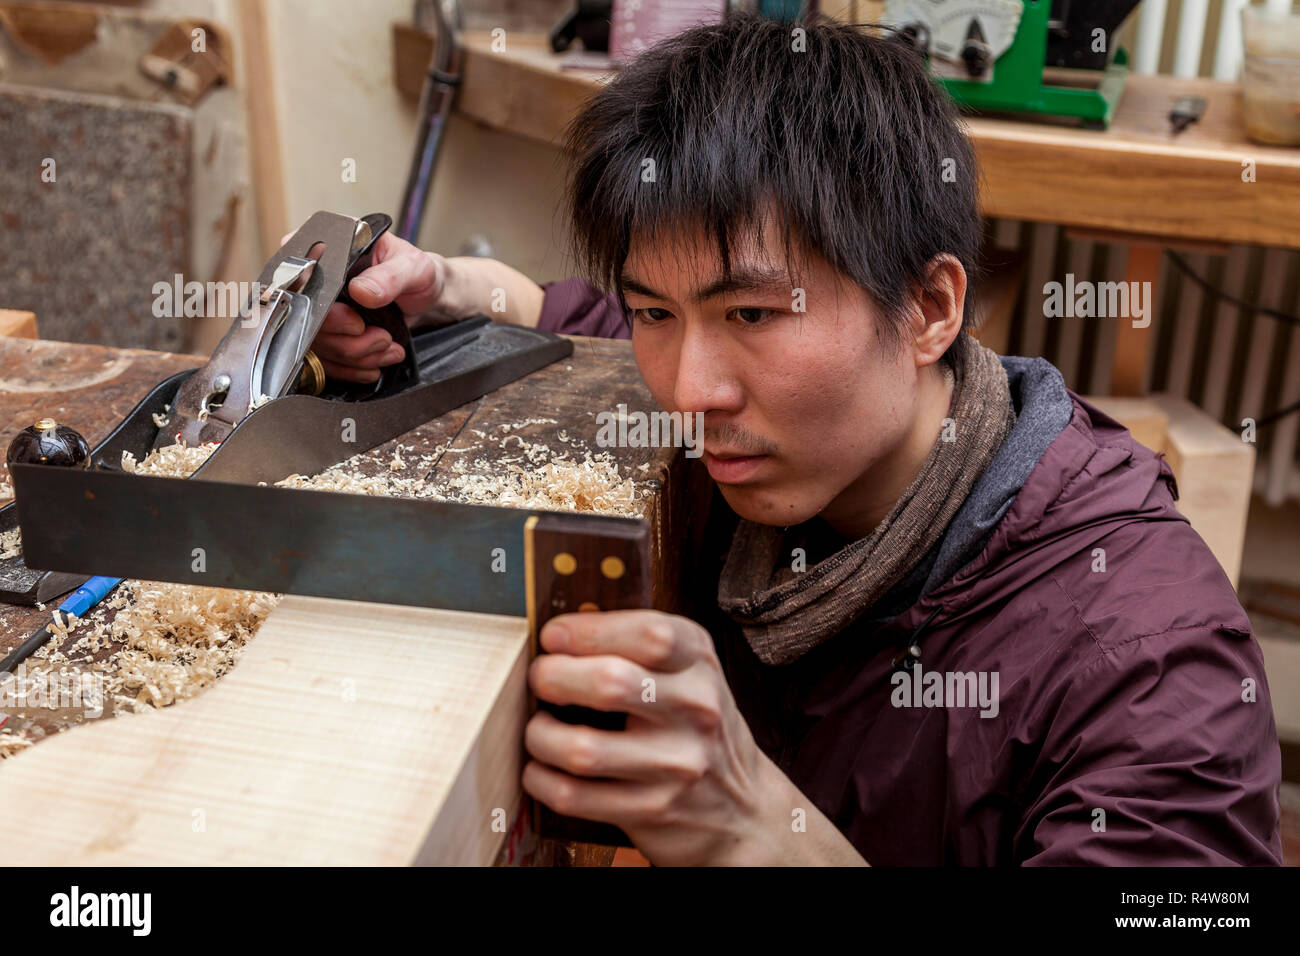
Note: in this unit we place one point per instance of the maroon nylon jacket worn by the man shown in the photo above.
(1125, 730)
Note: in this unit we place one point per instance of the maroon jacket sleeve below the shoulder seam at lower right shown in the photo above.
(1162, 752)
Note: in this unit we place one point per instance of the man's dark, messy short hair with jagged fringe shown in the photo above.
(847, 142)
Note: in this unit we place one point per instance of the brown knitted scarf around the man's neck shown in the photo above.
(787, 613)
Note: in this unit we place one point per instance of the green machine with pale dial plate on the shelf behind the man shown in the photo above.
(1054, 58)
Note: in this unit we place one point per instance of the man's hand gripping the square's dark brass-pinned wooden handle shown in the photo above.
(686, 781)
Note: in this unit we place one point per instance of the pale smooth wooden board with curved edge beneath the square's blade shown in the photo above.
(349, 734)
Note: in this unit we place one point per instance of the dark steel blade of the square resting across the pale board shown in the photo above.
(388, 551)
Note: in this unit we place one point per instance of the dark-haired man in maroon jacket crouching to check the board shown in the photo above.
(948, 612)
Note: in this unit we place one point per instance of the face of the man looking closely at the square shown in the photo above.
(803, 409)
